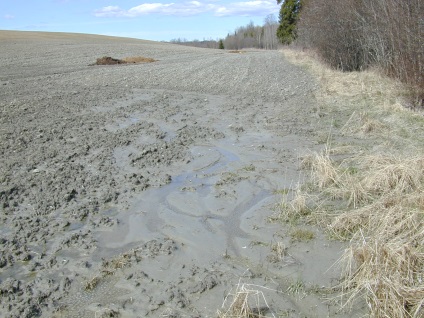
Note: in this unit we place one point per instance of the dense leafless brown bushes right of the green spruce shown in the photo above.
(352, 35)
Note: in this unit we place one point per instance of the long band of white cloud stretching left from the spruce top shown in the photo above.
(247, 8)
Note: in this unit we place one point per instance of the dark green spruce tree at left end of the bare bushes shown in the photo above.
(289, 13)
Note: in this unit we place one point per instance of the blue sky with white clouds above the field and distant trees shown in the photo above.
(159, 20)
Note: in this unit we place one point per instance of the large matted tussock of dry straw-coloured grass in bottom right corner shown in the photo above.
(387, 266)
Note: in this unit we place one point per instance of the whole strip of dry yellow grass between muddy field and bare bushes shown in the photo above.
(374, 197)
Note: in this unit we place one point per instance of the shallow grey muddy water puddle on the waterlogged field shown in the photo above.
(192, 208)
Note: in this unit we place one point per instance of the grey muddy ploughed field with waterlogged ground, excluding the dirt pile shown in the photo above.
(145, 190)
